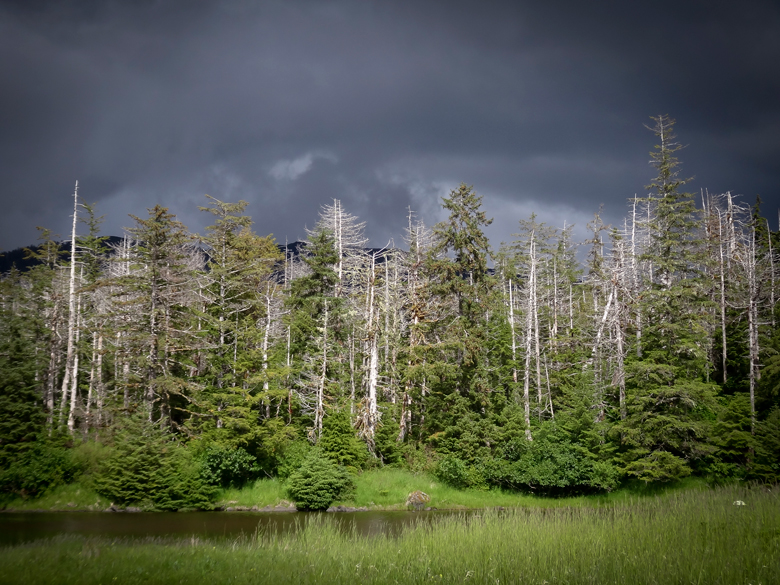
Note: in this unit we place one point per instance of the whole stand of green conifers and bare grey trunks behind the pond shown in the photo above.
(649, 352)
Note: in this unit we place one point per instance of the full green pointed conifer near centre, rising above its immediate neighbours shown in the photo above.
(462, 392)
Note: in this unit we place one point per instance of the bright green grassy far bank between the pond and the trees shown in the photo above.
(377, 489)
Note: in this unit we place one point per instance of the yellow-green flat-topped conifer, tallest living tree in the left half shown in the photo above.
(239, 306)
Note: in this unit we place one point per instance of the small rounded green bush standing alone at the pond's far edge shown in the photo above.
(318, 483)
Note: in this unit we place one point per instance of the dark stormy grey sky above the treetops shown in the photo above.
(541, 106)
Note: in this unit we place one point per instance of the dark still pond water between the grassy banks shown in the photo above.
(19, 527)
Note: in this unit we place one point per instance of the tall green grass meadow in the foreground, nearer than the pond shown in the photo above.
(689, 537)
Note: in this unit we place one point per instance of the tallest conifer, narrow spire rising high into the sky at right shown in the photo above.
(669, 403)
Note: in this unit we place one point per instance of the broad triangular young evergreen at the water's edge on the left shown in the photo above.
(147, 467)
